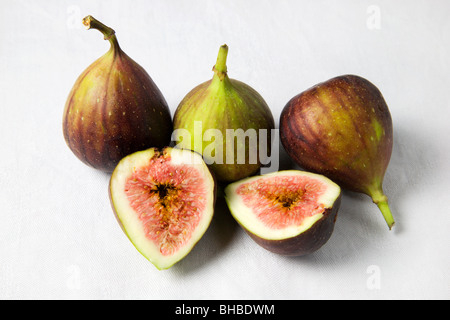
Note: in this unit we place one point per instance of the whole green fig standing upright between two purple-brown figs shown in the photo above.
(228, 122)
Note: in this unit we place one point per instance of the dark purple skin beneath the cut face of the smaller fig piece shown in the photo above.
(308, 241)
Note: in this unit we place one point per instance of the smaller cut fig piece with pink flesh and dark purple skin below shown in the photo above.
(287, 212)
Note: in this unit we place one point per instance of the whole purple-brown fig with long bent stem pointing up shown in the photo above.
(114, 108)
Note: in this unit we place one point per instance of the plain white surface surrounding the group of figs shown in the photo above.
(58, 236)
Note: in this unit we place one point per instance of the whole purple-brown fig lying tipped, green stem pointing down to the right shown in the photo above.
(342, 128)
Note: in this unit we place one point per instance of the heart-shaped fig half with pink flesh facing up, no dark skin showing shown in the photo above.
(164, 202)
